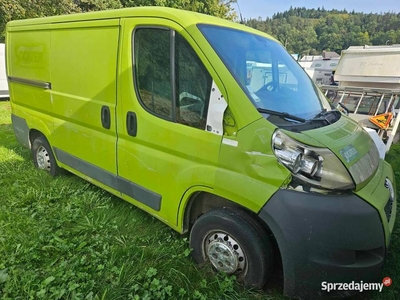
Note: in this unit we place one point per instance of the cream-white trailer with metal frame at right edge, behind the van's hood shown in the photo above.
(369, 86)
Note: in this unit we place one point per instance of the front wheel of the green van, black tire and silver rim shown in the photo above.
(226, 233)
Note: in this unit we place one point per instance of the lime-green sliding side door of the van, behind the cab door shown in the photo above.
(83, 76)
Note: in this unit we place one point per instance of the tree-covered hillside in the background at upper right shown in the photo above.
(311, 31)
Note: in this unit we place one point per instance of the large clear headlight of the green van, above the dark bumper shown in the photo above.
(316, 167)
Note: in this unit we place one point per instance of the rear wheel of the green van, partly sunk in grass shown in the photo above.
(43, 157)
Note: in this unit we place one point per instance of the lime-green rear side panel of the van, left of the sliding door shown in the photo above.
(28, 71)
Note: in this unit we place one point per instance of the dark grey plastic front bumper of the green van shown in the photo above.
(332, 238)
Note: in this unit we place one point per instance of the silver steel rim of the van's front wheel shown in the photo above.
(224, 253)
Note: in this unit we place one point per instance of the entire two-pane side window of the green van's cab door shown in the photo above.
(161, 55)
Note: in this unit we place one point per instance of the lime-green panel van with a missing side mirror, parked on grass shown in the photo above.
(213, 128)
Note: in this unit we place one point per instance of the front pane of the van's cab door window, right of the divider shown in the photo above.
(193, 86)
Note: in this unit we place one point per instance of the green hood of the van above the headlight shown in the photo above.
(350, 143)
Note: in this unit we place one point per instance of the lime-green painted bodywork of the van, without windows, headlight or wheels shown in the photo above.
(87, 58)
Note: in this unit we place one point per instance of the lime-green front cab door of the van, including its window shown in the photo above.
(164, 144)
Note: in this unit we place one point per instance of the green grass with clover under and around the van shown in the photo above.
(64, 238)
